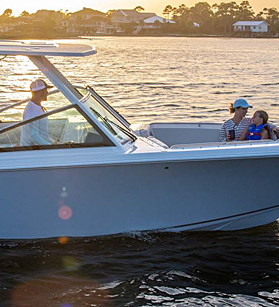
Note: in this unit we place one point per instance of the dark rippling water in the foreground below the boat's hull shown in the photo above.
(184, 269)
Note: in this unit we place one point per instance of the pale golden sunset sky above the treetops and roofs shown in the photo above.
(156, 6)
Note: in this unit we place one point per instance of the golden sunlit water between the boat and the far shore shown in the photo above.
(167, 79)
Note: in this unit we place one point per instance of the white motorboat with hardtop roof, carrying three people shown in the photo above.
(104, 176)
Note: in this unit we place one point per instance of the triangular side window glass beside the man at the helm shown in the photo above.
(66, 128)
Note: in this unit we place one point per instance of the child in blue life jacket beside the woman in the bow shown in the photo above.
(259, 129)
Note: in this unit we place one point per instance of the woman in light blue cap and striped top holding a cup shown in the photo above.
(232, 128)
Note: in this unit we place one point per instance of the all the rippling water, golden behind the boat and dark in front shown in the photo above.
(154, 79)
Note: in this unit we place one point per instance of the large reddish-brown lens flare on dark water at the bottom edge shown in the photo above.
(59, 291)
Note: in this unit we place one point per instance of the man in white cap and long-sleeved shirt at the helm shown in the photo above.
(36, 132)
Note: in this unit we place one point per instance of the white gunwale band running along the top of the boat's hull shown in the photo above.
(71, 157)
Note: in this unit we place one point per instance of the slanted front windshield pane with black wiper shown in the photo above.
(107, 119)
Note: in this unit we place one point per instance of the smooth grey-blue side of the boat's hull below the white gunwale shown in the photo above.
(110, 199)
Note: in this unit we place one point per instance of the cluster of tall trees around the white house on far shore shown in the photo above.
(218, 18)
